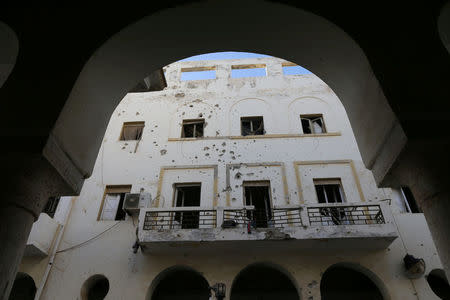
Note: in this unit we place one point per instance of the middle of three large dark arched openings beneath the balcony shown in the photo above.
(263, 281)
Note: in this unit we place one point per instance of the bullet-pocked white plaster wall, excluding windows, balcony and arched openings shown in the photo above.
(221, 102)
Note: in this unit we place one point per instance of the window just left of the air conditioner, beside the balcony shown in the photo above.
(113, 202)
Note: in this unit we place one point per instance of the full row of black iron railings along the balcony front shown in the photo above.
(326, 214)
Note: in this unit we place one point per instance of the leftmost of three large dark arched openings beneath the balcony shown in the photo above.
(179, 282)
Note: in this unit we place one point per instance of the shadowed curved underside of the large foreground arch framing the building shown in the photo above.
(138, 49)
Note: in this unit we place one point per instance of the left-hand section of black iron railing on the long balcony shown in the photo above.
(180, 218)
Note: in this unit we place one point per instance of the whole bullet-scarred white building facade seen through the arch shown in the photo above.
(255, 183)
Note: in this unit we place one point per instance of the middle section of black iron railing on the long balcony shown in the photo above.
(261, 218)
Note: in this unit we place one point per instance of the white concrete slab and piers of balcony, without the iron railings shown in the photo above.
(299, 236)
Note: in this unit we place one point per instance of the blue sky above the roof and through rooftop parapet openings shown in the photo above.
(296, 70)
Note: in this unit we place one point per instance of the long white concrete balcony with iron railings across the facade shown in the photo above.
(350, 226)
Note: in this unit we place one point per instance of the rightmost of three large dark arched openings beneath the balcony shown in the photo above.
(343, 281)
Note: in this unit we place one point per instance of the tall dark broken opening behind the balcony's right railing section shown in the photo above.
(330, 191)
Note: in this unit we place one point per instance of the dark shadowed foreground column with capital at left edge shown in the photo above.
(31, 180)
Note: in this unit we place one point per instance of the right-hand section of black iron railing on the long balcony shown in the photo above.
(345, 215)
